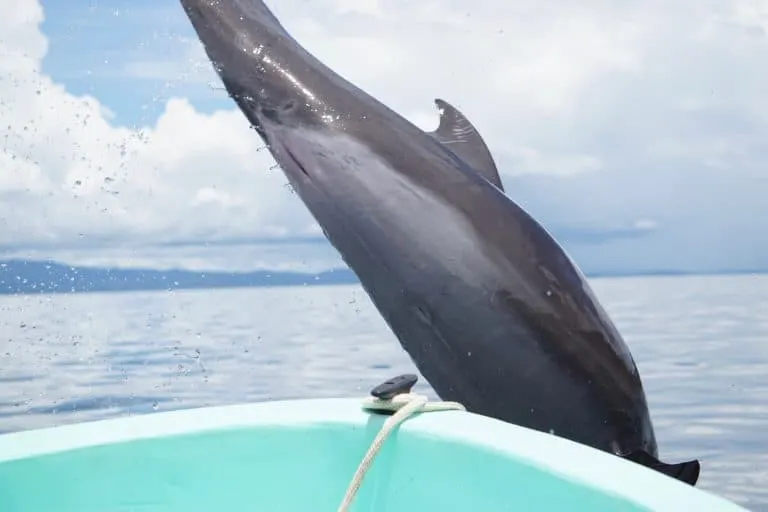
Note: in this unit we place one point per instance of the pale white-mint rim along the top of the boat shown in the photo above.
(560, 457)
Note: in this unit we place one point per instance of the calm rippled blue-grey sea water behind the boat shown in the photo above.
(701, 344)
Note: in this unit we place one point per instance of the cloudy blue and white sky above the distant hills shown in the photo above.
(636, 132)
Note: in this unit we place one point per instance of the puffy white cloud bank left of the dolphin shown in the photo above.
(69, 173)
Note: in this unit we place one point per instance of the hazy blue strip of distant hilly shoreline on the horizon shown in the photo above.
(26, 277)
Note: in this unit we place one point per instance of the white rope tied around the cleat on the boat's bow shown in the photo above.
(405, 405)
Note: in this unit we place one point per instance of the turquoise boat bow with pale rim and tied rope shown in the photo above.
(388, 452)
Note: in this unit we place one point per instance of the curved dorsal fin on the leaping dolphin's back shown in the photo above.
(462, 138)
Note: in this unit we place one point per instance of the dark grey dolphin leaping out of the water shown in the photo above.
(489, 307)
